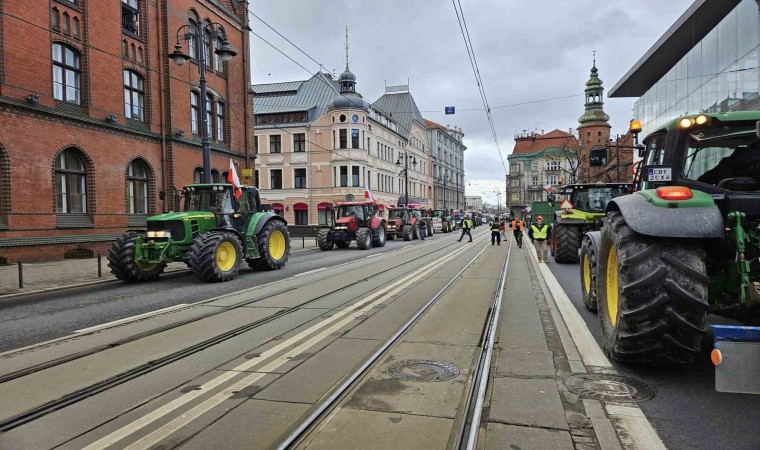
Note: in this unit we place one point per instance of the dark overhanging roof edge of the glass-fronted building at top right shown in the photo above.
(698, 20)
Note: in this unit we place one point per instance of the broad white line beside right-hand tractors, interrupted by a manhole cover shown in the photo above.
(634, 429)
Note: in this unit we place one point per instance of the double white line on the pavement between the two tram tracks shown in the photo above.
(338, 321)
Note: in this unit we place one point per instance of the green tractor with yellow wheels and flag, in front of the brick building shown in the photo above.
(213, 235)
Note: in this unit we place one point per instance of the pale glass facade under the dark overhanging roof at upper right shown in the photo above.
(719, 74)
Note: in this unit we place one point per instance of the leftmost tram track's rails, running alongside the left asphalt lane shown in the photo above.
(149, 366)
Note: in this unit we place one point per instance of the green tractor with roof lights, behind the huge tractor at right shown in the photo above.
(587, 203)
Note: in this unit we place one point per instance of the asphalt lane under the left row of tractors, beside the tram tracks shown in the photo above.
(37, 318)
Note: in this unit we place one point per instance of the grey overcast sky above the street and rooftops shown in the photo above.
(527, 50)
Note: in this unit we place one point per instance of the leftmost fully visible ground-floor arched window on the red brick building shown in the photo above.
(70, 183)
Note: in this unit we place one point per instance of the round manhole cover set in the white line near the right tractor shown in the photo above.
(608, 387)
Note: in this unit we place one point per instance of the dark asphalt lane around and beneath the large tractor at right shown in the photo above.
(687, 412)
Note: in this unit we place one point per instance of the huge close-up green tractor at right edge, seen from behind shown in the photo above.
(686, 243)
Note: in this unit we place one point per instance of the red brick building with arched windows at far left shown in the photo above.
(98, 126)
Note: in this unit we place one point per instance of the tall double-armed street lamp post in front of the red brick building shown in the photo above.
(202, 34)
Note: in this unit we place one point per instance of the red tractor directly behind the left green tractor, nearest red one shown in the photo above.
(353, 221)
